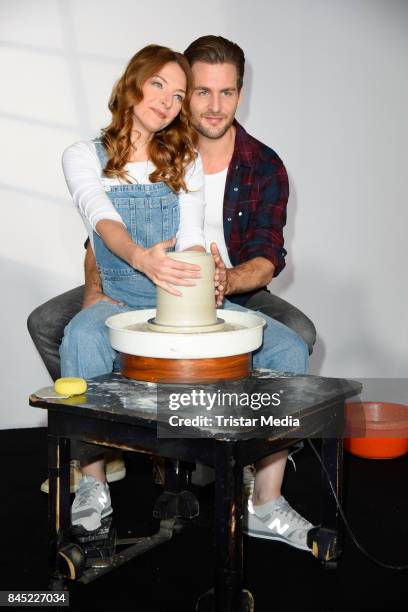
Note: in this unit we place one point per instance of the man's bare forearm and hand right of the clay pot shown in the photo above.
(248, 276)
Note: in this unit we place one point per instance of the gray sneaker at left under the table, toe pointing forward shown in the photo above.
(91, 504)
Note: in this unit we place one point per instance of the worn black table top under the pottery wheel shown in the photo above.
(306, 398)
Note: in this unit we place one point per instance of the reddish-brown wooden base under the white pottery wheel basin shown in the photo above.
(153, 369)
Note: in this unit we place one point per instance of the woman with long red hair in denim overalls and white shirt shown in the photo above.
(136, 186)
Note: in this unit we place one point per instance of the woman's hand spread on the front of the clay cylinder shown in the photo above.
(163, 270)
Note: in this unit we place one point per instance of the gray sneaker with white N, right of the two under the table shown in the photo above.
(278, 521)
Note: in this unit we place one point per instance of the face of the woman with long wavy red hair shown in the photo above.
(163, 94)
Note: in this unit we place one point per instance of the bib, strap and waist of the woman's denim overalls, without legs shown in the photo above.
(151, 214)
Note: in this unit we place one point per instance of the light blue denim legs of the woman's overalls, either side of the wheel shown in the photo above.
(85, 350)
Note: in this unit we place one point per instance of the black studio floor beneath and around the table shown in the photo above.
(172, 576)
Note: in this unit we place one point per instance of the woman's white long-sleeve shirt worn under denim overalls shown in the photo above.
(87, 186)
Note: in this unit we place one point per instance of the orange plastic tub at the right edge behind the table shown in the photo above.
(376, 430)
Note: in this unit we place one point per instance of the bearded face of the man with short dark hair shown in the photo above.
(215, 98)
